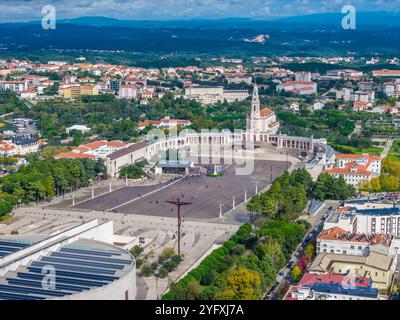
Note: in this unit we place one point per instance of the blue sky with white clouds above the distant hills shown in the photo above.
(27, 10)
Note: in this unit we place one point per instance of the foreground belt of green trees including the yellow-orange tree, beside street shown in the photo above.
(245, 266)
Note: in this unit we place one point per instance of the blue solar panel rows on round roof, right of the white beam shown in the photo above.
(76, 270)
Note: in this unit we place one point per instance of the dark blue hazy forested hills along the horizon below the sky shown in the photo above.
(321, 34)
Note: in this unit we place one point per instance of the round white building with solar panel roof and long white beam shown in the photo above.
(80, 263)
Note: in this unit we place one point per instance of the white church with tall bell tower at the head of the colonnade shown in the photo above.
(261, 123)
